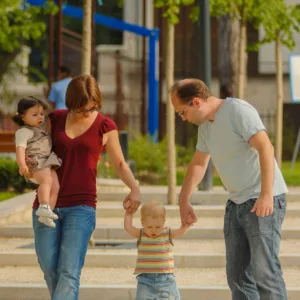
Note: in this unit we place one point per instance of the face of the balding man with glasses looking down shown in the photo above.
(191, 111)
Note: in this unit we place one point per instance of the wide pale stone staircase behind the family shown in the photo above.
(108, 271)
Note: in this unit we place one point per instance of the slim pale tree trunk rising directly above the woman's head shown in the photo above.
(86, 37)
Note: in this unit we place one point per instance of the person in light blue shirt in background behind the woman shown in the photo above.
(58, 90)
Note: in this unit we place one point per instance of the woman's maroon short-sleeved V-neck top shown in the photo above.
(77, 175)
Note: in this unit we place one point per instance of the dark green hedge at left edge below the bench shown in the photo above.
(10, 177)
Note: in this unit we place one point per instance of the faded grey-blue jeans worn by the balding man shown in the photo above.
(252, 248)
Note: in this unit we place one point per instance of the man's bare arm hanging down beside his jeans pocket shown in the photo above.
(261, 142)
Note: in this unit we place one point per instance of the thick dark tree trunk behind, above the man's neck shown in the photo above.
(224, 55)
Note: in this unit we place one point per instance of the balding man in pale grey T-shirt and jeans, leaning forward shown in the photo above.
(232, 133)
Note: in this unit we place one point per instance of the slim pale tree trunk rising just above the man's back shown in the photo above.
(242, 60)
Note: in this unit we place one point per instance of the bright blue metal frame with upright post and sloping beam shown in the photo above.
(152, 34)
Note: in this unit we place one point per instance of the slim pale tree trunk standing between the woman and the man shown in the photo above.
(170, 116)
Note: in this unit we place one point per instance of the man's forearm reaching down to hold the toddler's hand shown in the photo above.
(194, 175)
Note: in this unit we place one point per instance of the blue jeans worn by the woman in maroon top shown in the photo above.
(61, 251)
